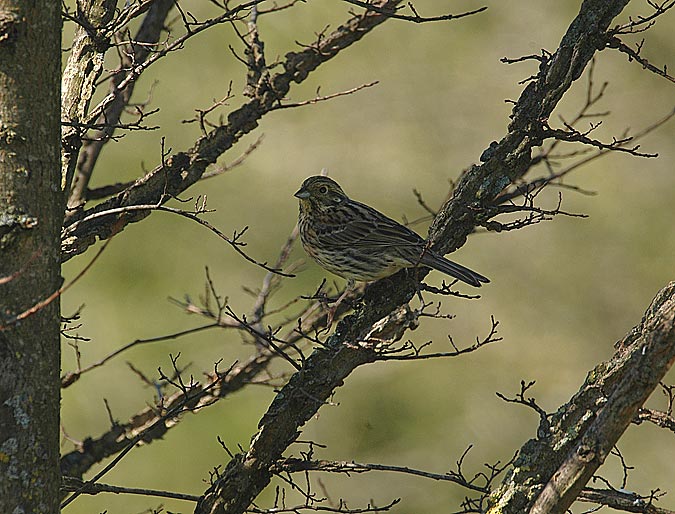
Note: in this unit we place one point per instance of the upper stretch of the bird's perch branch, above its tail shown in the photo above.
(505, 162)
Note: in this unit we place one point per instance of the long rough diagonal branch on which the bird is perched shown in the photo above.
(327, 368)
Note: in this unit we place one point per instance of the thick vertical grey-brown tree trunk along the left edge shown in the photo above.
(31, 214)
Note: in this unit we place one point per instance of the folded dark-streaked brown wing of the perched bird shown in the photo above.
(358, 225)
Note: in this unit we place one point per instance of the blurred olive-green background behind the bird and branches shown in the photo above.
(564, 291)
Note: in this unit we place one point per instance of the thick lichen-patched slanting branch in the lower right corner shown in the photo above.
(551, 471)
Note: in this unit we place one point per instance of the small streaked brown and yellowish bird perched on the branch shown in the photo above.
(359, 243)
